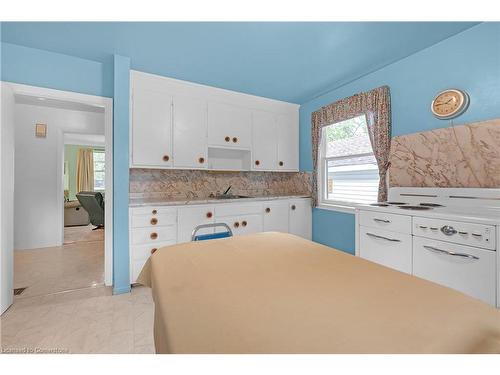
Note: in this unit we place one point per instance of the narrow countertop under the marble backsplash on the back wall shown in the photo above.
(139, 202)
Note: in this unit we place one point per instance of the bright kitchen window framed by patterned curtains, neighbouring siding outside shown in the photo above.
(349, 172)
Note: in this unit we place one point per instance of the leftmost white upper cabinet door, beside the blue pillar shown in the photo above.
(151, 128)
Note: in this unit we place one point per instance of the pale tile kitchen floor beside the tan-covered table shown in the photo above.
(86, 321)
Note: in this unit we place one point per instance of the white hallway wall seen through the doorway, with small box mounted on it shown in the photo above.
(38, 197)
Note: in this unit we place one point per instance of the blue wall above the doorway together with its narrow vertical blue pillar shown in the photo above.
(111, 79)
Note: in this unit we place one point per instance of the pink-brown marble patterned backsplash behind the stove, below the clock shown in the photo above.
(459, 156)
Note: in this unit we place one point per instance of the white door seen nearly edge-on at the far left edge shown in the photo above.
(6, 195)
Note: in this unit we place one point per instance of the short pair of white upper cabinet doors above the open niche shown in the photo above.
(229, 126)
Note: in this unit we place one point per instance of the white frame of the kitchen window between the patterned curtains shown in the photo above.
(326, 204)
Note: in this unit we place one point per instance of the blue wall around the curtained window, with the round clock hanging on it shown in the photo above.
(469, 60)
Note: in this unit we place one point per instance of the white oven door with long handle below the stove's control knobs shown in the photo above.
(464, 268)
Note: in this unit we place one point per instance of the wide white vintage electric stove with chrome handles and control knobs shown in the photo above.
(446, 235)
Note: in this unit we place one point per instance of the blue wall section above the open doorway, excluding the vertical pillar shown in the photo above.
(37, 67)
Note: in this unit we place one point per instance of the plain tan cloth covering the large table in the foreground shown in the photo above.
(277, 293)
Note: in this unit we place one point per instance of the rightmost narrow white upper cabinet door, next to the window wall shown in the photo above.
(288, 142)
